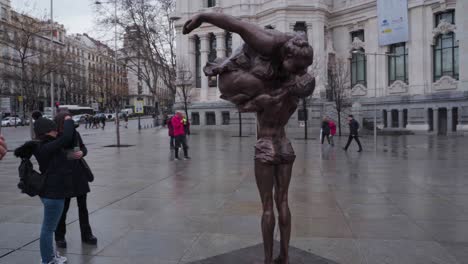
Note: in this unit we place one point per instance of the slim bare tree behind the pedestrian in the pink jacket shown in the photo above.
(185, 84)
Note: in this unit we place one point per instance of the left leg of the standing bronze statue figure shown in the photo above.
(264, 175)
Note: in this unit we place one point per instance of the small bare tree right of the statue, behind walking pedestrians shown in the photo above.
(339, 85)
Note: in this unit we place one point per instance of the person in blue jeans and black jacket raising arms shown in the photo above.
(58, 184)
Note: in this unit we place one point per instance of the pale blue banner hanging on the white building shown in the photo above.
(392, 18)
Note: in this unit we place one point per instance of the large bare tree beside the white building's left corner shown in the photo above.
(156, 38)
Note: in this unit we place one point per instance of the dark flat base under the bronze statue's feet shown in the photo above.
(254, 255)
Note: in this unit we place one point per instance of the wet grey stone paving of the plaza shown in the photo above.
(405, 204)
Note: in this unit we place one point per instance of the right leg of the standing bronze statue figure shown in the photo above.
(282, 180)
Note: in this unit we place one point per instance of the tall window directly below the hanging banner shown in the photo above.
(398, 63)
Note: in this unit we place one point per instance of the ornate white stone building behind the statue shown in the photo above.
(420, 85)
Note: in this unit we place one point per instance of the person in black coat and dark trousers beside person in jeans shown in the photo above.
(80, 178)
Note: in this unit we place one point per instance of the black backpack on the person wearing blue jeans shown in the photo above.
(31, 182)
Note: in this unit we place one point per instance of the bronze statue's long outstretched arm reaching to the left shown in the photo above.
(263, 41)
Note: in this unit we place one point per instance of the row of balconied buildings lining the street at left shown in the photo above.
(36, 53)
